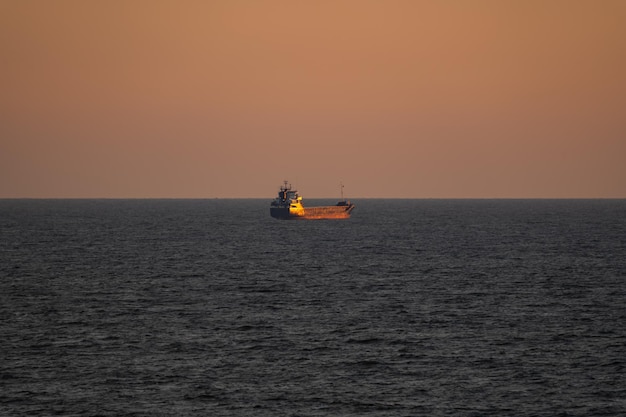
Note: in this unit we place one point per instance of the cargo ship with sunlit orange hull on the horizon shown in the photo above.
(288, 206)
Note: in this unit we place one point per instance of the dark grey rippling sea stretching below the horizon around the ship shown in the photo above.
(210, 307)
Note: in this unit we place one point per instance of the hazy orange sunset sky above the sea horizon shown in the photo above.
(392, 98)
